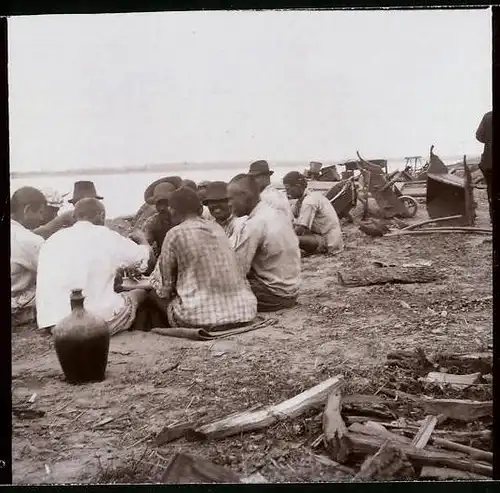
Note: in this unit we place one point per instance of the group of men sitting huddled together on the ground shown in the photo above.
(216, 254)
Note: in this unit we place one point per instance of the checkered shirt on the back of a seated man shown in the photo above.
(197, 259)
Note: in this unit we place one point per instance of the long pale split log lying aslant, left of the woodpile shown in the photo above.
(256, 420)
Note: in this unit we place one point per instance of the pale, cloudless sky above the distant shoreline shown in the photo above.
(89, 91)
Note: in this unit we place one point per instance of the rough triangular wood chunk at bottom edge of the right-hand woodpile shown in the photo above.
(387, 463)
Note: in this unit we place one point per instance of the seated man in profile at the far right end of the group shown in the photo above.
(316, 222)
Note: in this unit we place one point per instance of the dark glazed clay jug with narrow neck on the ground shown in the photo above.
(82, 343)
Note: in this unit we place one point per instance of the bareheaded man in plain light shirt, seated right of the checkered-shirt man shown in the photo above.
(266, 247)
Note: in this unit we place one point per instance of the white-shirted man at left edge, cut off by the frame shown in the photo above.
(27, 209)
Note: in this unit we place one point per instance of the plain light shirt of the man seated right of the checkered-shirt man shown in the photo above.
(268, 248)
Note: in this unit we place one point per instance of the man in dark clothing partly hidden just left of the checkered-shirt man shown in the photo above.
(156, 227)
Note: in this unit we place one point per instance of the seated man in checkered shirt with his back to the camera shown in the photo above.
(196, 281)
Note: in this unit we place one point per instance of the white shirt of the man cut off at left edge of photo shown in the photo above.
(24, 250)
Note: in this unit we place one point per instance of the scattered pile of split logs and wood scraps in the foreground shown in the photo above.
(372, 437)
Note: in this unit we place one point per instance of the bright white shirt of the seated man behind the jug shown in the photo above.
(84, 256)
